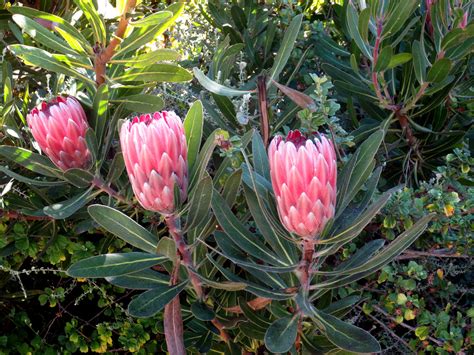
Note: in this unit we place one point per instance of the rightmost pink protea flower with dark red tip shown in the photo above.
(303, 173)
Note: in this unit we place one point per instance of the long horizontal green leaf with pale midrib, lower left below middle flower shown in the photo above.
(108, 265)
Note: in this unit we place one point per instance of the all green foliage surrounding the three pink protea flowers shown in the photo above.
(79, 258)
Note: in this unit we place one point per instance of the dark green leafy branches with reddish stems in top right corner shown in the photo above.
(409, 61)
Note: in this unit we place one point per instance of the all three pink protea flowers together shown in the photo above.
(303, 171)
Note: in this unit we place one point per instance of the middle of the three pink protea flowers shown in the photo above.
(155, 153)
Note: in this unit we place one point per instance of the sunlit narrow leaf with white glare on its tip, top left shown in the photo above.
(42, 35)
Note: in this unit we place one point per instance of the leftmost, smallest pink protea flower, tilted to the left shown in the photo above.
(59, 127)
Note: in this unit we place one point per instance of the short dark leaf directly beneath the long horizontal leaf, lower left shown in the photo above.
(140, 280)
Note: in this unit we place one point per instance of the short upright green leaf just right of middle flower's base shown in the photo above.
(200, 202)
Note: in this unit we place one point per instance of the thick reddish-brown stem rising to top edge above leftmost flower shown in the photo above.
(104, 55)
